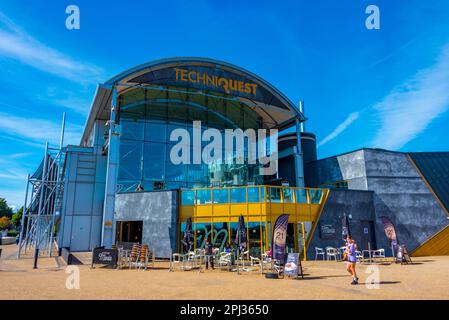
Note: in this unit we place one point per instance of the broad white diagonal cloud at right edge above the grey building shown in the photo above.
(409, 108)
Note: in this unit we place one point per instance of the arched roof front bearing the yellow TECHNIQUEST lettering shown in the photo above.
(273, 106)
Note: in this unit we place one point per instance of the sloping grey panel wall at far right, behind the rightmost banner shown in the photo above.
(404, 197)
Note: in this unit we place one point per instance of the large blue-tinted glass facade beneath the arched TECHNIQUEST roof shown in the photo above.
(148, 116)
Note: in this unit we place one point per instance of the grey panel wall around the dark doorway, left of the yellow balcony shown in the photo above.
(159, 212)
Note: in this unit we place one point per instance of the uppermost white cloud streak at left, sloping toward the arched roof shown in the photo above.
(19, 45)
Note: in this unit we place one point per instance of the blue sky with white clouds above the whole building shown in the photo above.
(386, 88)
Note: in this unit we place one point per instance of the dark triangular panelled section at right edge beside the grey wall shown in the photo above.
(434, 166)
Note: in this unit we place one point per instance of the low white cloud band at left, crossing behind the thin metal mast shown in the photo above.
(38, 130)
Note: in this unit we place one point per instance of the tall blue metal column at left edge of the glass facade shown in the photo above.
(107, 234)
